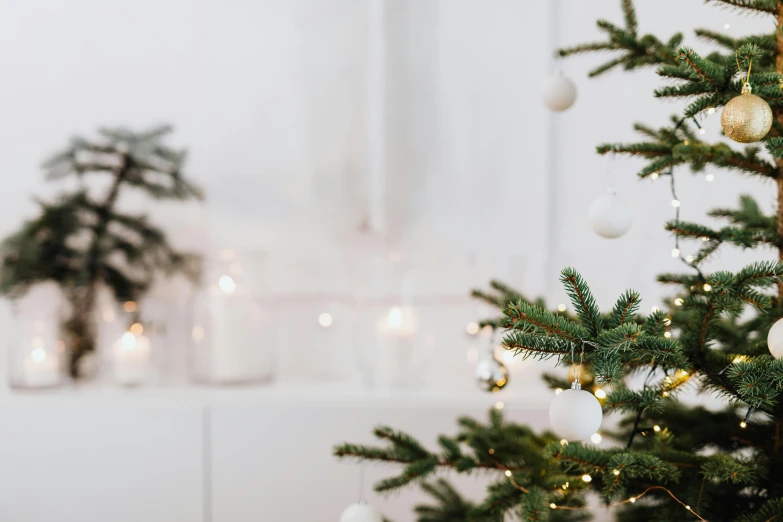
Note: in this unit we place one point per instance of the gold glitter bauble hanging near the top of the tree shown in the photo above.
(746, 118)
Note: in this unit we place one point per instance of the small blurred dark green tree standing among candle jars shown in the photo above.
(84, 244)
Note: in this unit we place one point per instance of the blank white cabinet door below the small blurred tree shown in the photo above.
(99, 461)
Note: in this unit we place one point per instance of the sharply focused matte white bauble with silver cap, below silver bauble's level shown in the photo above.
(575, 414)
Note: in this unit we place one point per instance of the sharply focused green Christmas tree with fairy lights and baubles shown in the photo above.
(667, 460)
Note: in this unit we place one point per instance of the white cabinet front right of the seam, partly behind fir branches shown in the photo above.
(275, 463)
